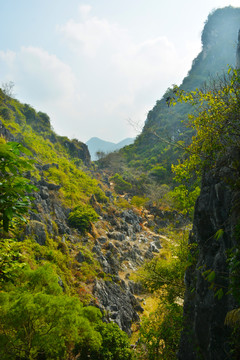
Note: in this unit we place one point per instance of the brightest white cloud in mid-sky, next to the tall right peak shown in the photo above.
(123, 66)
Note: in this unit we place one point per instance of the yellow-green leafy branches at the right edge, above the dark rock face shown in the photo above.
(215, 124)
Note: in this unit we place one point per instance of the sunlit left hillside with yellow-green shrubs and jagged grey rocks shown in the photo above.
(91, 260)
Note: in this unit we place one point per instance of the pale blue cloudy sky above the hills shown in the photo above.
(96, 67)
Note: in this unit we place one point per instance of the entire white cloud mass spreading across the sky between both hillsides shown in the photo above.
(107, 76)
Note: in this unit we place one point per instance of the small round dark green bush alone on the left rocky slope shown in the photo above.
(82, 216)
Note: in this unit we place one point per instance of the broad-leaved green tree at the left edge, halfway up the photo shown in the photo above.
(14, 186)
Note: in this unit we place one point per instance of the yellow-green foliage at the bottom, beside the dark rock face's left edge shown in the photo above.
(160, 331)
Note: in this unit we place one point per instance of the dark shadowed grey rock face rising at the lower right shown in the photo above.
(205, 336)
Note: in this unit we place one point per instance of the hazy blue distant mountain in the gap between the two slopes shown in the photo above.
(95, 144)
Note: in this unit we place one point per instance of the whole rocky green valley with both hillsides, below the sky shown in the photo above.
(134, 256)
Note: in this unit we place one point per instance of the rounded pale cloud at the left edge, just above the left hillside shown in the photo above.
(44, 81)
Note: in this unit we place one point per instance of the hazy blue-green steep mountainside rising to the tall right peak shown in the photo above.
(164, 126)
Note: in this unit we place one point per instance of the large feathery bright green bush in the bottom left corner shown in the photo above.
(37, 319)
